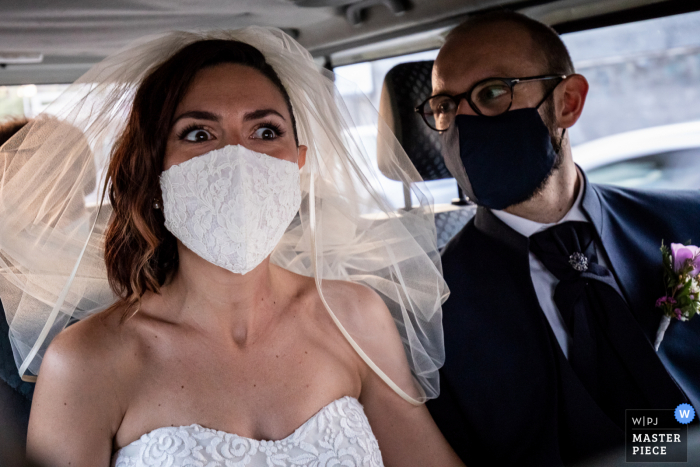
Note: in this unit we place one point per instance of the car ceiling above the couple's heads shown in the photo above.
(71, 35)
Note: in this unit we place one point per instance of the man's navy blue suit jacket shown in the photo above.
(508, 395)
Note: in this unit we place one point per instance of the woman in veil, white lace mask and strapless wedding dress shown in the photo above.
(245, 296)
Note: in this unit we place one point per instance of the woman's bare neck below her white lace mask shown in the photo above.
(217, 300)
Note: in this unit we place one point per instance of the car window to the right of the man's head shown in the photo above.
(641, 124)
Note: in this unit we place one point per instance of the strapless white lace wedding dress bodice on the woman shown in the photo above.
(338, 435)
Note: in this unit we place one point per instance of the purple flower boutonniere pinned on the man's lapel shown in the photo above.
(682, 281)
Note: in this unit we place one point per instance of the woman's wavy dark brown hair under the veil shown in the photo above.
(140, 253)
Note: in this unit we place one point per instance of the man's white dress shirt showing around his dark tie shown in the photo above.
(544, 281)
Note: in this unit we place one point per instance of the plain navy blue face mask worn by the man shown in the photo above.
(506, 158)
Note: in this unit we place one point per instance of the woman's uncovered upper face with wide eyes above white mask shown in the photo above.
(227, 105)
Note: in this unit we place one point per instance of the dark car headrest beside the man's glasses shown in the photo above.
(405, 86)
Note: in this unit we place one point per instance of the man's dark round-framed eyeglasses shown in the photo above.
(489, 98)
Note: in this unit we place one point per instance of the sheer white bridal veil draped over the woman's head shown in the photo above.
(53, 214)
